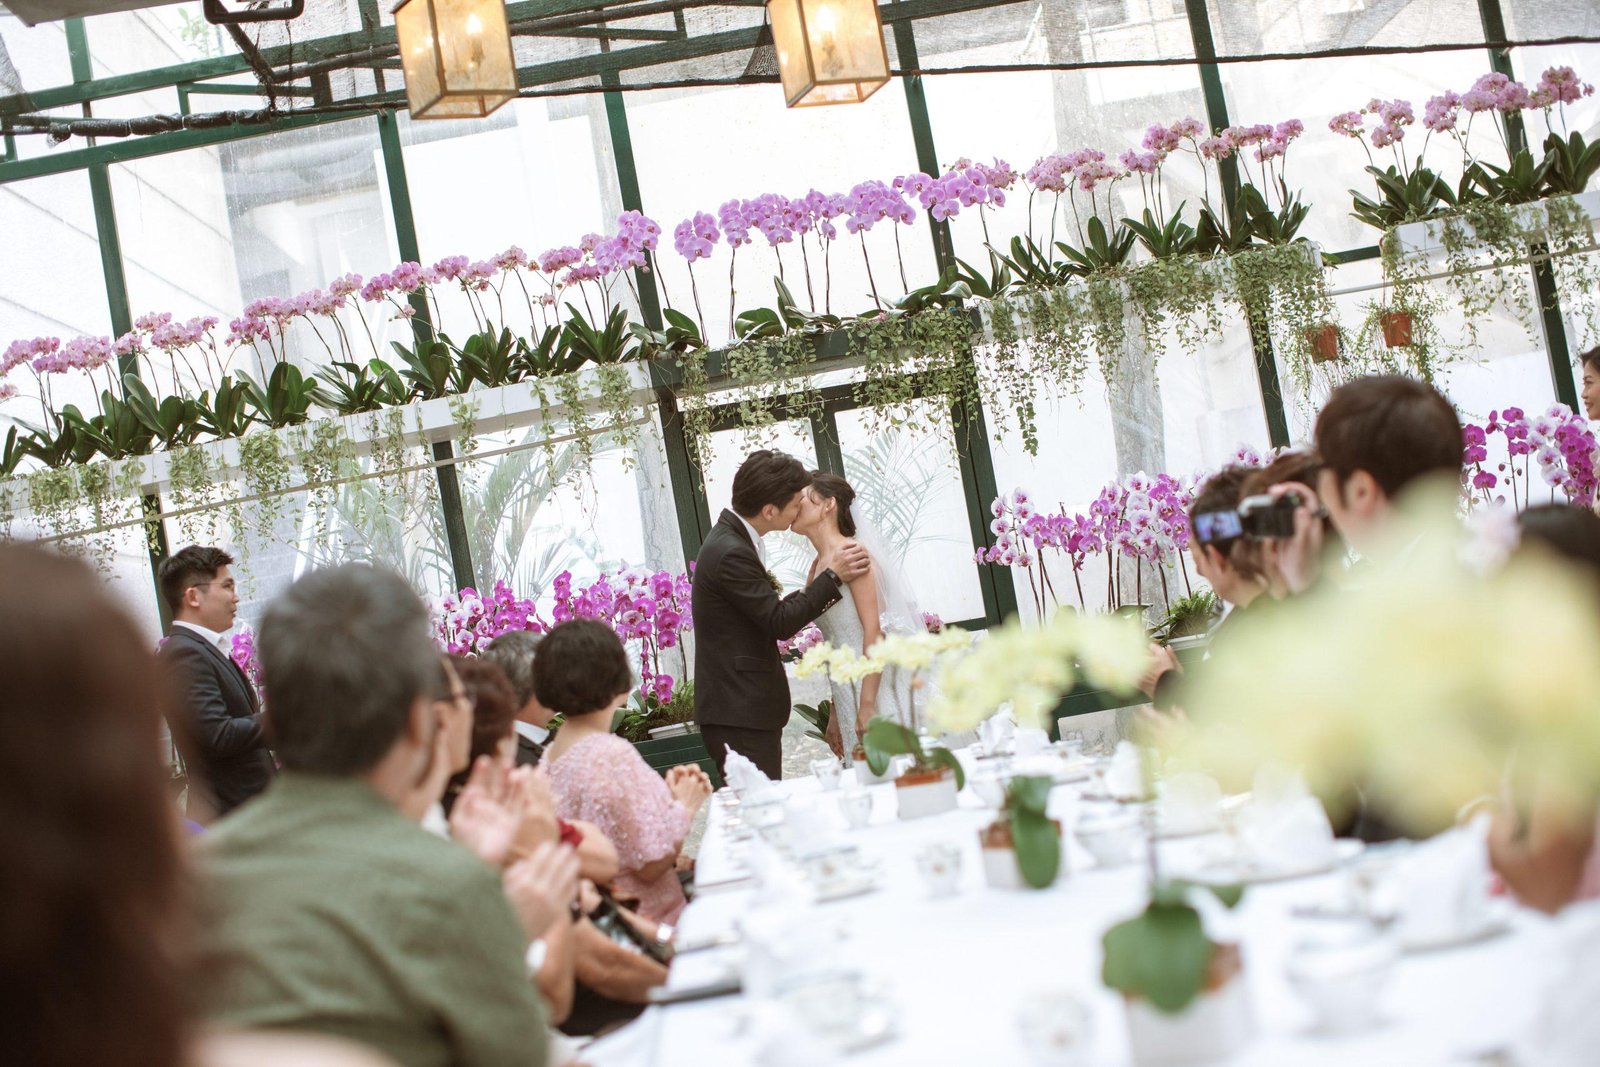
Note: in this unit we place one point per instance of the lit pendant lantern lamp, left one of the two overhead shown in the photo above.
(457, 57)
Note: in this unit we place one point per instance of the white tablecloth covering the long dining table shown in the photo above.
(959, 969)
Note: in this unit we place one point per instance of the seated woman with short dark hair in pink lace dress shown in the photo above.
(583, 674)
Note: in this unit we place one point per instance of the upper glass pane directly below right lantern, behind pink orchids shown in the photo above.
(742, 143)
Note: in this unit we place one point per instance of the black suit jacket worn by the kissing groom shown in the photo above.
(738, 623)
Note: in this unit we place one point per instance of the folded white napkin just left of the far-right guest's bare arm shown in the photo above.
(1441, 889)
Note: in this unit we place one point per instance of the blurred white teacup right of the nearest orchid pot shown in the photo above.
(1342, 975)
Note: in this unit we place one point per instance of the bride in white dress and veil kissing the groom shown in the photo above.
(879, 604)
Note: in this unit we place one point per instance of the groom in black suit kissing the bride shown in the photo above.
(742, 692)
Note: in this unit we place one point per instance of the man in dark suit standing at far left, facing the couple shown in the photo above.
(217, 722)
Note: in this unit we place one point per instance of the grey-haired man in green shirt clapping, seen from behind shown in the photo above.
(334, 911)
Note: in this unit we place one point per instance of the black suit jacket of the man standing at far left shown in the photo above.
(217, 724)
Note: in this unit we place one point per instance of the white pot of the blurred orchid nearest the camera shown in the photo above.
(1214, 1026)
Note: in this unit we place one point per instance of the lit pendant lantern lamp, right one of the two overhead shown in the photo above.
(830, 52)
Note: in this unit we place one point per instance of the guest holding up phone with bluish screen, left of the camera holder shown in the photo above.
(1226, 559)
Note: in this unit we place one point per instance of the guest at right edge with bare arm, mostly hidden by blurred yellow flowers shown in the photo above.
(1545, 852)
